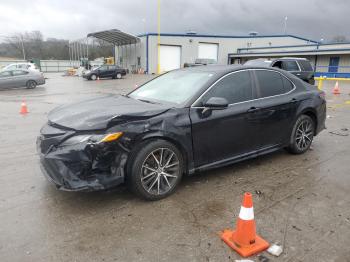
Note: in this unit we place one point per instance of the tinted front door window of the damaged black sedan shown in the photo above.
(235, 88)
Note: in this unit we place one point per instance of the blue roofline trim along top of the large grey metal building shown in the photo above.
(225, 36)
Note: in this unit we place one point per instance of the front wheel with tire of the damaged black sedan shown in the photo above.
(156, 170)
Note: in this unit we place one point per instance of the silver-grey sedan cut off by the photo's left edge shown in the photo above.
(21, 78)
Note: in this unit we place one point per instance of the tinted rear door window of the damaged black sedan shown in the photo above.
(270, 83)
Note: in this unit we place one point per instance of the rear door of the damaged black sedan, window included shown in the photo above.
(276, 107)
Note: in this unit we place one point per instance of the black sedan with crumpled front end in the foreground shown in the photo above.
(181, 122)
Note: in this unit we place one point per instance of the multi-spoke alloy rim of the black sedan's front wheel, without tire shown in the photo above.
(160, 171)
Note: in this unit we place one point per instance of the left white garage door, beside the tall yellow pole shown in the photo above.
(170, 57)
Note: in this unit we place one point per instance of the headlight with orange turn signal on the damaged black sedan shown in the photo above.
(94, 139)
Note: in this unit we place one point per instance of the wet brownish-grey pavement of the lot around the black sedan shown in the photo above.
(300, 201)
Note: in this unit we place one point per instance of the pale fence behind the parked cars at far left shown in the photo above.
(47, 65)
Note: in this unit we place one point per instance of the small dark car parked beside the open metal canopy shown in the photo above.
(105, 71)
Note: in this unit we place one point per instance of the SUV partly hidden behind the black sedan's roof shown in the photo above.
(300, 67)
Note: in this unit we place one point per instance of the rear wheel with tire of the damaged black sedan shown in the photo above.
(302, 135)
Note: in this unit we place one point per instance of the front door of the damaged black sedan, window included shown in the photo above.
(219, 135)
